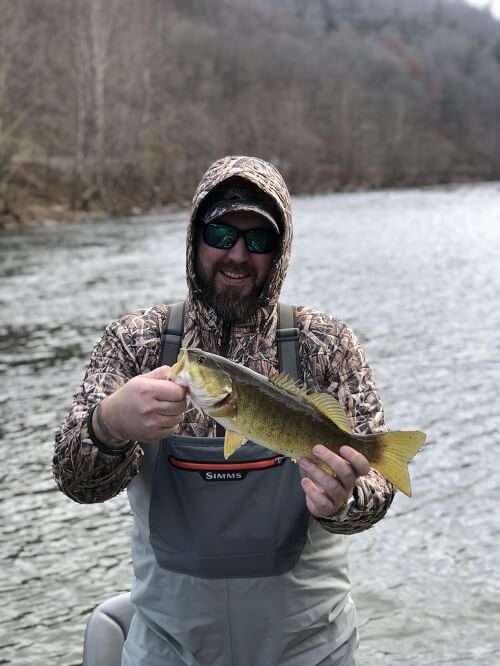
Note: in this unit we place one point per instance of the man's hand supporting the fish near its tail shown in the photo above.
(325, 494)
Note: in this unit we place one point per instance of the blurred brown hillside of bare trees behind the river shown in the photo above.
(121, 104)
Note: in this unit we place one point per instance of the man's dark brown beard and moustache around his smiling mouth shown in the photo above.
(228, 302)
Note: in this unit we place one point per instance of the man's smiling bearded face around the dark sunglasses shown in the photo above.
(233, 278)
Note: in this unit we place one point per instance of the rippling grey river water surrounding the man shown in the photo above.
(416, 273)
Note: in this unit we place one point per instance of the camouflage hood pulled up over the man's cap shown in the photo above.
(270, 181)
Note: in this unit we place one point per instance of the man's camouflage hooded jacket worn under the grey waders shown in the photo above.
(332, 361)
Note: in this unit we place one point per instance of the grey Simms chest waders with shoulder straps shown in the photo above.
(229, 567)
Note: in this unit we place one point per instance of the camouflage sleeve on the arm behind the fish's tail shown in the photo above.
(353, 383)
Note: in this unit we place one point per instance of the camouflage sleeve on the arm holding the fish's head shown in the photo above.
(83, 471)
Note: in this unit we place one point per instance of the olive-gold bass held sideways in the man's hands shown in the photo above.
(280, 414)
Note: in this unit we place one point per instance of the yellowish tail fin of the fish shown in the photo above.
(394, 452)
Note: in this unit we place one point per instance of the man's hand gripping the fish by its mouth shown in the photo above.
(145, 409)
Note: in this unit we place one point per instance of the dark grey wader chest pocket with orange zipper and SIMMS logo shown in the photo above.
(214, 518)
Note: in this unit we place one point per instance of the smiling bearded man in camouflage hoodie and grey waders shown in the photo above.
(248, 570)
